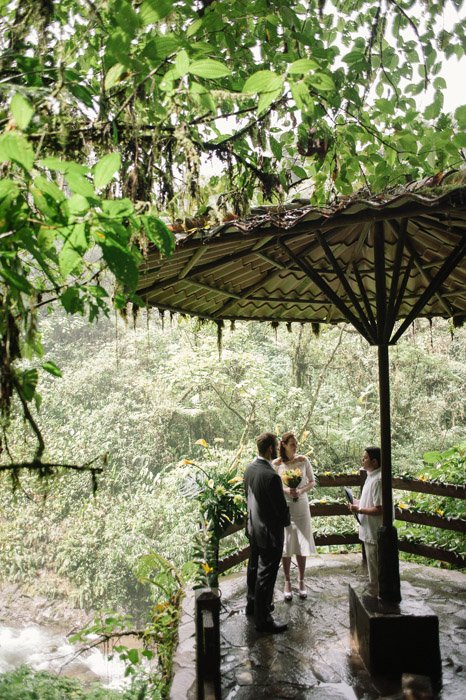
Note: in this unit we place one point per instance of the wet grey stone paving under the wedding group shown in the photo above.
(313, 659)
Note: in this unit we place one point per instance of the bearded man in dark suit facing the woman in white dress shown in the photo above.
(268, 515)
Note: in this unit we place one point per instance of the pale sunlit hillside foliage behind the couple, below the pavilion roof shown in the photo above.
(150, 397)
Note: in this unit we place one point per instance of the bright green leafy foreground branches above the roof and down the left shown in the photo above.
(110, 111)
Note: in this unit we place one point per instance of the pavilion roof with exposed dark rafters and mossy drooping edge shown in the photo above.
(367, 262)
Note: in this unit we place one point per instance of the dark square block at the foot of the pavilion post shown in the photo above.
(395, 639)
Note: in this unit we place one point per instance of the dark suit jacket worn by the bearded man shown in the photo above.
(268, 513)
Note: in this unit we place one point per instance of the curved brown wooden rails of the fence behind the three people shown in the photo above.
(403, 514)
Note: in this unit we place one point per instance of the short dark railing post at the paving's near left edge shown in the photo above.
(208, 644)
